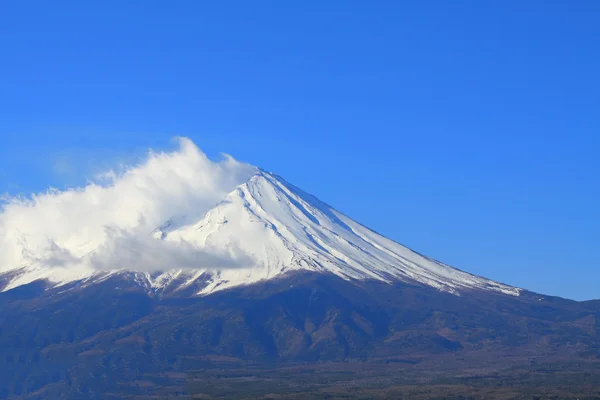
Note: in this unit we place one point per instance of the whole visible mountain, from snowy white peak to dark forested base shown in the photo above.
(316, 306)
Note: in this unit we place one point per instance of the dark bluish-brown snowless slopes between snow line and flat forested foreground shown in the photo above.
(116, 337)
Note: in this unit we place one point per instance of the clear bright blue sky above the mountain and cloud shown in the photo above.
(467, 130)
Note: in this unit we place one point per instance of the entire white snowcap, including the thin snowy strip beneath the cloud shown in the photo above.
(278, 228)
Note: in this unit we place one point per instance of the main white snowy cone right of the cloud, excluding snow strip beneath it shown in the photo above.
(283, 228)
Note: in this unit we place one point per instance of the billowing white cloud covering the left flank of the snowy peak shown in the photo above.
(107, 223)
